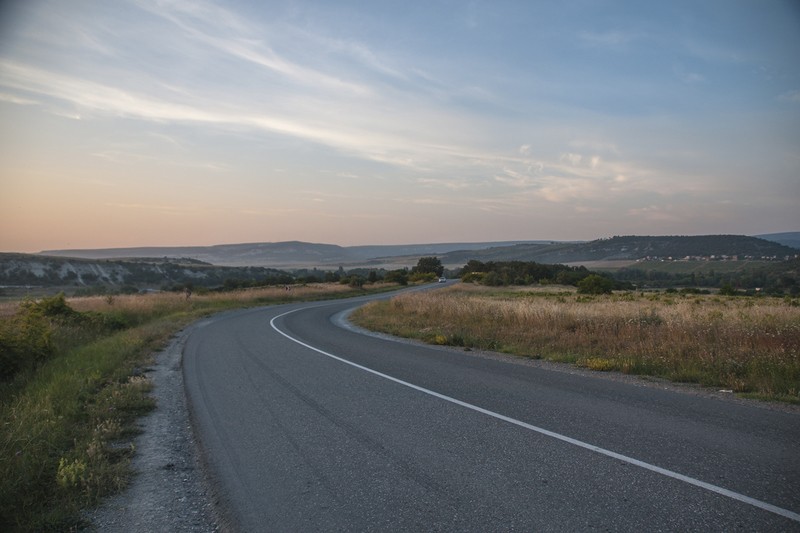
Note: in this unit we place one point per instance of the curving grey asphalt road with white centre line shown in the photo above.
(307, 425)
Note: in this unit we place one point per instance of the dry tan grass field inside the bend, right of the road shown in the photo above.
(748, 345)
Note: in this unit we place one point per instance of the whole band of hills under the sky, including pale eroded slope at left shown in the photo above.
(227, 265)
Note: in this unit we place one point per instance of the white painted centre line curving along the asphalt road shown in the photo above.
(630, 460)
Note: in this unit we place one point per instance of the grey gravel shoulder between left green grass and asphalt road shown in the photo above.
(169, 491)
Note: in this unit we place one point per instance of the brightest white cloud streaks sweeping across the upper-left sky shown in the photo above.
(382, 130)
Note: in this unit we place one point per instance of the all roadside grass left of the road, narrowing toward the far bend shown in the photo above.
(73, 388)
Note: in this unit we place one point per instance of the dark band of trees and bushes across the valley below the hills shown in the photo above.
(777, 278)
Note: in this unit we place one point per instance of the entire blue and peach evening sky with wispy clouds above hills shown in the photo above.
(177, 122)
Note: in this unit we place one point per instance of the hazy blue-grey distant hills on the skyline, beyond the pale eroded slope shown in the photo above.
(295, 254)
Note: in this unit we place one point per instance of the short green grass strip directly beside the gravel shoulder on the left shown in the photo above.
(61, 434)
